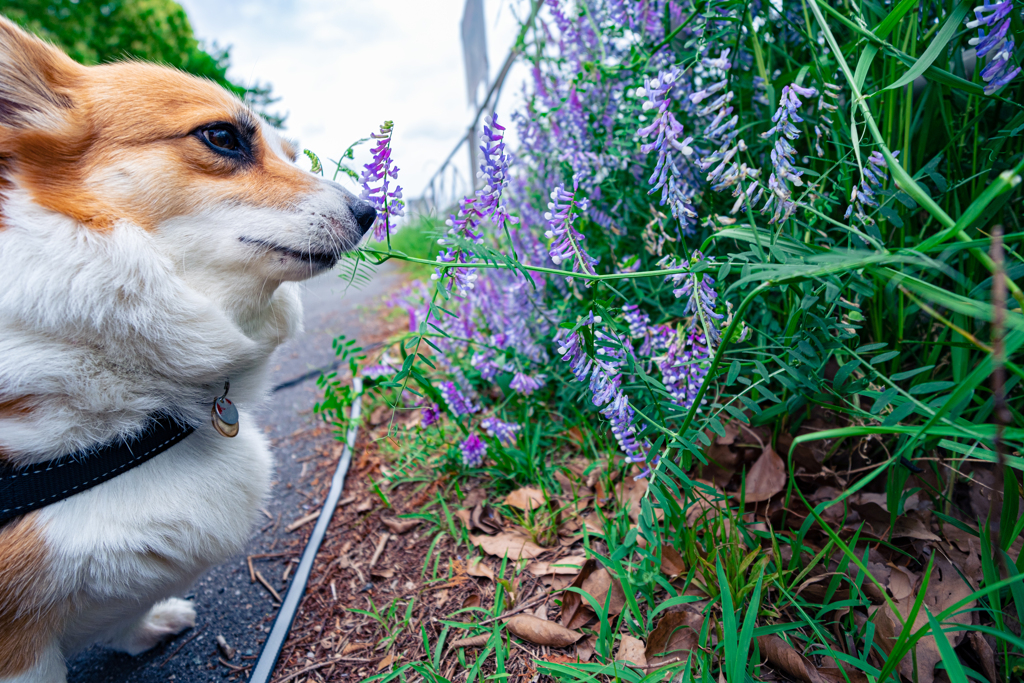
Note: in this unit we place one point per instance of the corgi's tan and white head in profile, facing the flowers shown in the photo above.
(175, 155)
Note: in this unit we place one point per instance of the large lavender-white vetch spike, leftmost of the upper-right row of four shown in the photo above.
(668, 176)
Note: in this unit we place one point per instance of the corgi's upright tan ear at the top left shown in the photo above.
(35, 78)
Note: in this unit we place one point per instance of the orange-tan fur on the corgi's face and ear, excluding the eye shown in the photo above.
(117, 121)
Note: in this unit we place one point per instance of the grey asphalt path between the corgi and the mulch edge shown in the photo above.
(228, 604)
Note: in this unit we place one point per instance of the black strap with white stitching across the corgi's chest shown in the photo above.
(27, 489)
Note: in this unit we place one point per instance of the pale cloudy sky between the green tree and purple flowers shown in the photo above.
(343, 67)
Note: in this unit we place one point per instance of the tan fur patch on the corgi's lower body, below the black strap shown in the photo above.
(28, 619)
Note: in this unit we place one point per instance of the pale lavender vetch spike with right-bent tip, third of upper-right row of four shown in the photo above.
(780, 200)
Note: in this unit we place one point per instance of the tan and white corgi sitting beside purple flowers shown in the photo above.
(153, 231)
